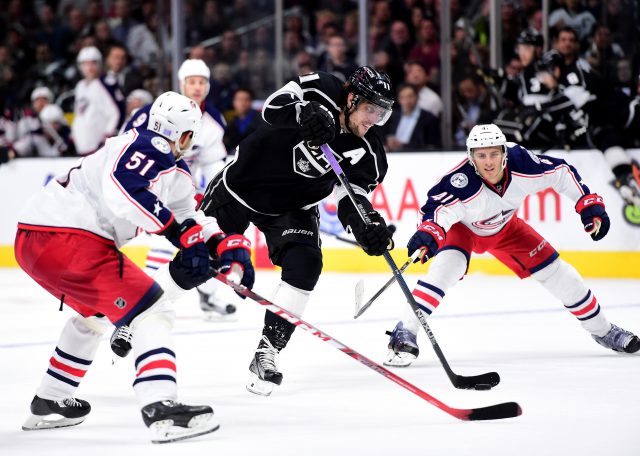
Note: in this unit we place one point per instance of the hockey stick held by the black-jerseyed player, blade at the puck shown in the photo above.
(480, 382)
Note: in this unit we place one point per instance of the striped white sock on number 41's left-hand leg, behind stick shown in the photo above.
(446, 268)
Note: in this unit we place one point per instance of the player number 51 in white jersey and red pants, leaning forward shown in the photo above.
(68, 241)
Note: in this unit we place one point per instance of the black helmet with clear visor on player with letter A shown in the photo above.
(373, 86)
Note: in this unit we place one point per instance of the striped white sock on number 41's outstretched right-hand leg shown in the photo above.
(564, 282)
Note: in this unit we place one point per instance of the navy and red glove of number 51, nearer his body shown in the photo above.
(190, 267)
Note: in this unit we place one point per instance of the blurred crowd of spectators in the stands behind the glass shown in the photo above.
(40, 42)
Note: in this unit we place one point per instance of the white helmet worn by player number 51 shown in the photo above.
(173, 114)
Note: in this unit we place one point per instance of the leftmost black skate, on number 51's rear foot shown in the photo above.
(49, 414)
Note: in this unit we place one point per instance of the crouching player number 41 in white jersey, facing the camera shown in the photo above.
(472, 209)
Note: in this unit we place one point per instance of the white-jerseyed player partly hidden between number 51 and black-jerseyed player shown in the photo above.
(205, 159)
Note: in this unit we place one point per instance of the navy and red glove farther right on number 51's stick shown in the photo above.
(234, 256)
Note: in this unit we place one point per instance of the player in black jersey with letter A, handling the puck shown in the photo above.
(279, 175)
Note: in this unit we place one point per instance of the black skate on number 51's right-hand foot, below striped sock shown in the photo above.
(170, 421)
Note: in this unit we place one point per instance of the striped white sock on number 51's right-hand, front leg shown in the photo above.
(155, 360)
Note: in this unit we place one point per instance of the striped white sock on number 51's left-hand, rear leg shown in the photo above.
(72, 357)
